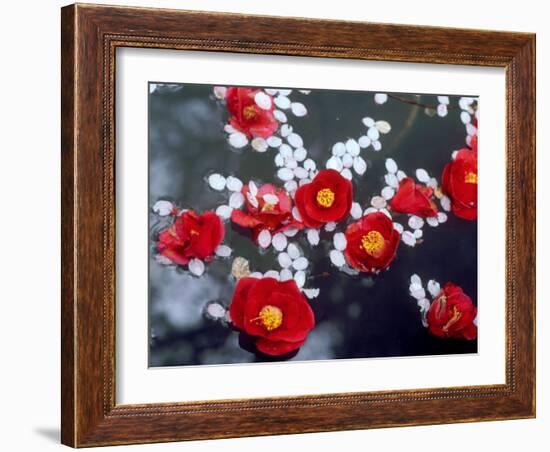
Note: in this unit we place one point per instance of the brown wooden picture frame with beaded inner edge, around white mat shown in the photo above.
(90, 36)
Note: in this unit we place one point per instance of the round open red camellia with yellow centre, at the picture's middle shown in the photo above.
(326, 198)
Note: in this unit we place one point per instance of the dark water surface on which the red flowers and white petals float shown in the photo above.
(356, 317)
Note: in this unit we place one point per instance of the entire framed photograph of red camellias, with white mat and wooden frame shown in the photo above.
(281, 225)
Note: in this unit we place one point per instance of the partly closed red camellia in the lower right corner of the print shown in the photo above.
(452, 314)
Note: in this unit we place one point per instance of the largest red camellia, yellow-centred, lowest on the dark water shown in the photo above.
(275, 312)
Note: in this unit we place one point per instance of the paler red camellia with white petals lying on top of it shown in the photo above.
(268, 208)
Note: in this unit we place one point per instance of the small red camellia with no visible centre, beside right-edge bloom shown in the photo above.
(414, 199)
